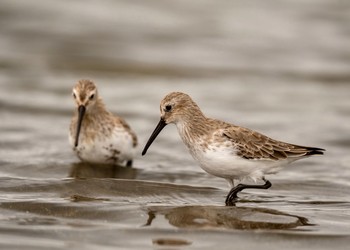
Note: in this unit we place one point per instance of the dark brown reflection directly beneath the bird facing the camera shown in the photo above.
(83, 170)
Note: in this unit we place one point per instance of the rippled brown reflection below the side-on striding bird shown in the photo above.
(226, 217)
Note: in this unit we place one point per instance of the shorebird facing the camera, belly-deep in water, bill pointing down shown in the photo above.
(96, 135)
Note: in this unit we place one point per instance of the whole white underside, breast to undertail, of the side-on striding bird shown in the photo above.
(219, 157)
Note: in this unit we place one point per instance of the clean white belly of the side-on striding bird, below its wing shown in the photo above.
(224, 162)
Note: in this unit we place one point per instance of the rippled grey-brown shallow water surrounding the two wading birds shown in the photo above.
(279, 67)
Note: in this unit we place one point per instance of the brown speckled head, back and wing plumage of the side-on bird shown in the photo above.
(247, 143)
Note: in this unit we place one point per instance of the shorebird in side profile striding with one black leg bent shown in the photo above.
(226, 150)
